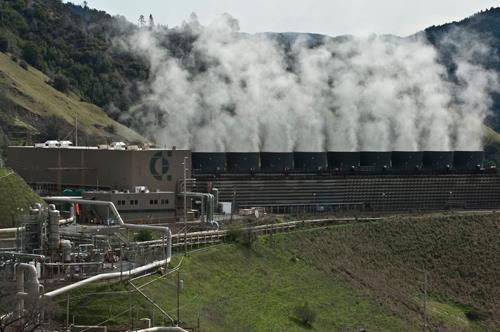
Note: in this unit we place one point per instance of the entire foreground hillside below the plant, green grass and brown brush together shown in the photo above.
(353, 277)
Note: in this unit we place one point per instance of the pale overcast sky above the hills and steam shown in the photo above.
(330, 17)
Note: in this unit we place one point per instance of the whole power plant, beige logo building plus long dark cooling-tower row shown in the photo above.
(282, 182)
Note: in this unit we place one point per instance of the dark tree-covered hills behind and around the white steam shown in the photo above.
(77, 47)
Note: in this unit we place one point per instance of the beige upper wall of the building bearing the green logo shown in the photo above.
(156, 169)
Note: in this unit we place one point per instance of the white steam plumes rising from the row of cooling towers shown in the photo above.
(239, 92)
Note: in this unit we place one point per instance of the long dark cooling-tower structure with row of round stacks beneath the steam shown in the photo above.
(298, 182)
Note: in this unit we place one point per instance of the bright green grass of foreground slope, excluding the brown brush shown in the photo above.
(231, 288)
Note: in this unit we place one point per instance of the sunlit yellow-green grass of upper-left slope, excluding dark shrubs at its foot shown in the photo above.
(29, 90)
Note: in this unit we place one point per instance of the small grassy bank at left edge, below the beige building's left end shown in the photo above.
(15, 195)
